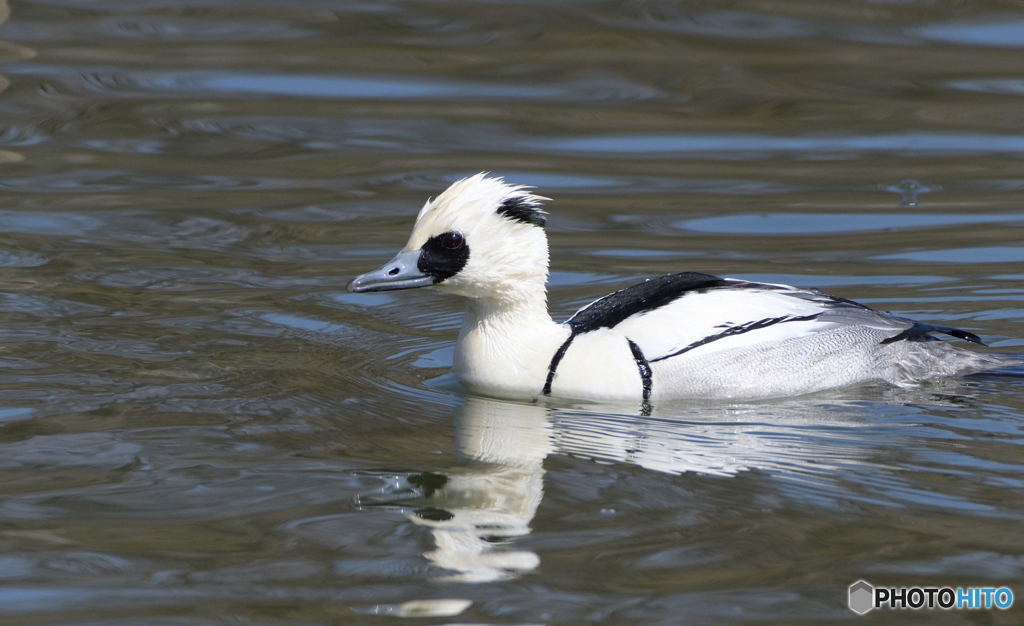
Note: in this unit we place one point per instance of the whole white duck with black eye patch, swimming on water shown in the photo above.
(674, 337)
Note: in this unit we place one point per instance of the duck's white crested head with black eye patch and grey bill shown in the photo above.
(482, 238)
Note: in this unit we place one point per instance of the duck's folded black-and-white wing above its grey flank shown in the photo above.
(674, 315)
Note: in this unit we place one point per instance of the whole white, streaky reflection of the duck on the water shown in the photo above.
(822, 450)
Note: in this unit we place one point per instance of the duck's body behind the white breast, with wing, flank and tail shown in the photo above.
(696, 336)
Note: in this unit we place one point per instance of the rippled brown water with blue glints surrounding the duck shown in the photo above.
(198, 425)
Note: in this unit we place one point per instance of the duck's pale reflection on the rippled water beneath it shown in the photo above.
(477, 511)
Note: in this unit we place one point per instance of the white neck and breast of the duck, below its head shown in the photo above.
(505, 346)
